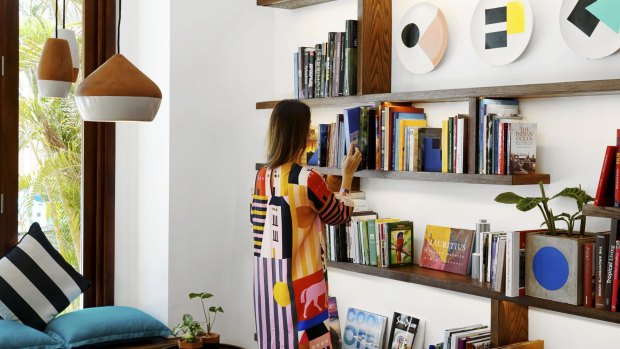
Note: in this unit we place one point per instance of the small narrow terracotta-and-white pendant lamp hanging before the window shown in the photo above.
(55, 71)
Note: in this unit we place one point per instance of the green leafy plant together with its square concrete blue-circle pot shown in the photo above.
(554, 258)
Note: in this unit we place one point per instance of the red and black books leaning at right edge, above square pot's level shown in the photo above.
(608, 190)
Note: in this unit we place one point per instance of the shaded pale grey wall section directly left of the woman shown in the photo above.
(221, 65)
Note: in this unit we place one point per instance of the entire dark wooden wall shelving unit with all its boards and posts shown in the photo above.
(509, 316)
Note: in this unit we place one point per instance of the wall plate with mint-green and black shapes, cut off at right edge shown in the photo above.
(591, 28)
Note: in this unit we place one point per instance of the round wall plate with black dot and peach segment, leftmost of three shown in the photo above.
(422, 38)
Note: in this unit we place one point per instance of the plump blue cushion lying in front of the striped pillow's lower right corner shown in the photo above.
(99, 325)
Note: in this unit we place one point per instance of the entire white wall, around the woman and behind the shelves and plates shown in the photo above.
(183, 182)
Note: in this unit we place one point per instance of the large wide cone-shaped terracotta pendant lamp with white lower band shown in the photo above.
(118, 91)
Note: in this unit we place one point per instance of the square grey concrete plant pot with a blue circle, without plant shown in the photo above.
(554, 267)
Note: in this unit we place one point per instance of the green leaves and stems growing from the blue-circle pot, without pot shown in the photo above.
(527, 203)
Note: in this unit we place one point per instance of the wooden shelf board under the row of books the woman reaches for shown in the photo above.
(439, 177)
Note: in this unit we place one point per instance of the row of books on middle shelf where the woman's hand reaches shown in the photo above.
(396, 138)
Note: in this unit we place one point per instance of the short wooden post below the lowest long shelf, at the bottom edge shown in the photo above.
(509, 323)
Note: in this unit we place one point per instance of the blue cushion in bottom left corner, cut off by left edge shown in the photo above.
(14, 335)
